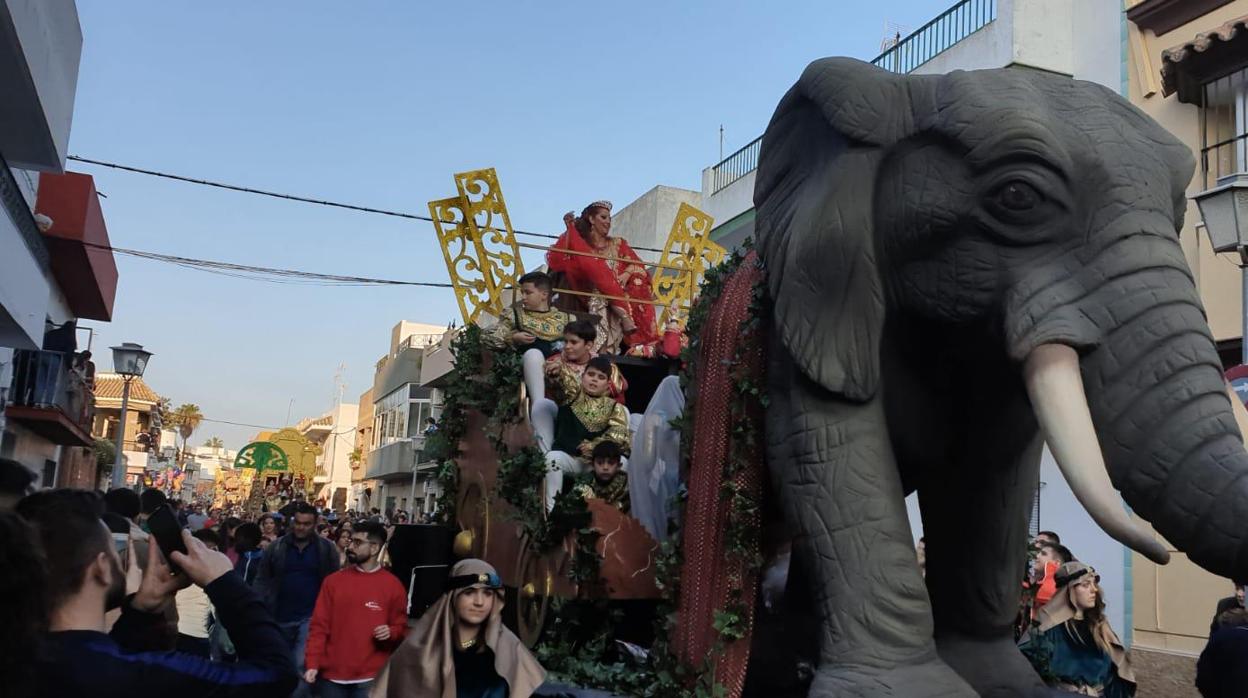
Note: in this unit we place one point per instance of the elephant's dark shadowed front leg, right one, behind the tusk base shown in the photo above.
(975, 523)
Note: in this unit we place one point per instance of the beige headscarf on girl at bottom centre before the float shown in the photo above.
(425, 665)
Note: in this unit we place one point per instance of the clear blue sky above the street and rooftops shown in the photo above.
(378, 103)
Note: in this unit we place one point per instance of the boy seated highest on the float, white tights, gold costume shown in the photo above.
(535, 329)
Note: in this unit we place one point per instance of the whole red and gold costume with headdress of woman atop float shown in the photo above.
(625, 277)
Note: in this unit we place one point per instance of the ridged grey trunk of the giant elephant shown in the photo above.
(1164, 420)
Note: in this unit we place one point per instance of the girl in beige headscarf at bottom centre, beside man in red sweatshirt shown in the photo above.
(460, 647)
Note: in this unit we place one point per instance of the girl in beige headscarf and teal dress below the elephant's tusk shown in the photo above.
(1073, 646)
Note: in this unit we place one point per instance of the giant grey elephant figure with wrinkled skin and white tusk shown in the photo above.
(933, 247)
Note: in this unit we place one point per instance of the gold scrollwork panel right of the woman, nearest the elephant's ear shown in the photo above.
(691, 252)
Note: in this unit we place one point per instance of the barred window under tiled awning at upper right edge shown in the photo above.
(1225, 128)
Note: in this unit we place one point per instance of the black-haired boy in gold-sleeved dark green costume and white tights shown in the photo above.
(586, 416)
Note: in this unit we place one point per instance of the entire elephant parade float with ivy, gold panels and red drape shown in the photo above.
(953, 272)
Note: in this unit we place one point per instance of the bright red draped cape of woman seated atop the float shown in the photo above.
(622, 279)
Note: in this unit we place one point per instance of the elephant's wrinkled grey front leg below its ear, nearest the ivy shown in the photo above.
(842, 496)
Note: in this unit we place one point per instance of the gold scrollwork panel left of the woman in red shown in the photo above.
(479, 244)
